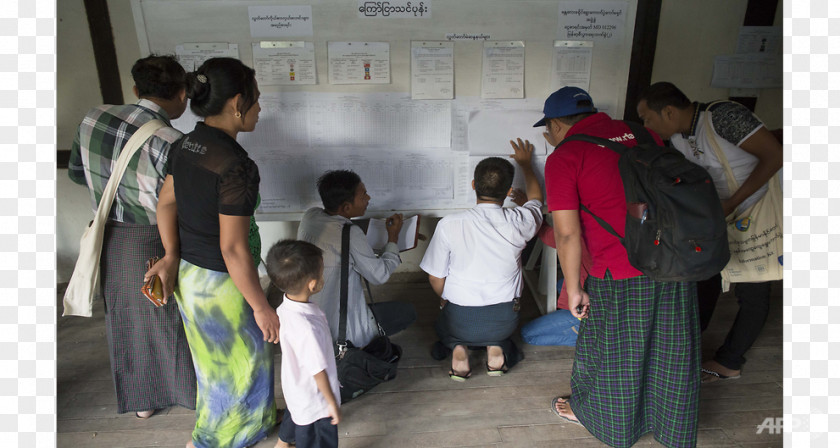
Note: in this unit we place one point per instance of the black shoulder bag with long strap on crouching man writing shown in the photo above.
(360, 369)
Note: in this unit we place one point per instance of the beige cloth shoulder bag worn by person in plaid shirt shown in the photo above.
(78, 299)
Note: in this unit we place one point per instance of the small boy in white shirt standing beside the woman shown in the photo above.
(308, 372)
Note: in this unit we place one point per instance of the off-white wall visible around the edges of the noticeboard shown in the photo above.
(690, 35)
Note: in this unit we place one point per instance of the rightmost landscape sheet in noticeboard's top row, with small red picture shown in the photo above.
(359, 62)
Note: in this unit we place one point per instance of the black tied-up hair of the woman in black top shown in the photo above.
(217, 81)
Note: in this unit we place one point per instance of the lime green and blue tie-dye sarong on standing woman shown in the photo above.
(234, 368)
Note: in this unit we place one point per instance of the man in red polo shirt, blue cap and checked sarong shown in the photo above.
(638, 352)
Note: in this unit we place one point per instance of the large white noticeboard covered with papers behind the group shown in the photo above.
(414, 146)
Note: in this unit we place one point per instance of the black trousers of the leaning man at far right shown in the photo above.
(754, 306)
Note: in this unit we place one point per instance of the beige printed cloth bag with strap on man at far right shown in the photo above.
(755, 235)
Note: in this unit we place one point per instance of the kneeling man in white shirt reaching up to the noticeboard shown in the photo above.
(474, 265)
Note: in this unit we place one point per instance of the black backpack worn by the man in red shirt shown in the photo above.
(675, 229)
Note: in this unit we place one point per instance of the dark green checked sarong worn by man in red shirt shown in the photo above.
(637, 362)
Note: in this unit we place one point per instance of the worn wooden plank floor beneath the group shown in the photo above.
(422, 407)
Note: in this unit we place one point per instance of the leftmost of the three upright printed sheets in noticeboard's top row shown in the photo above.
(432, 70)
